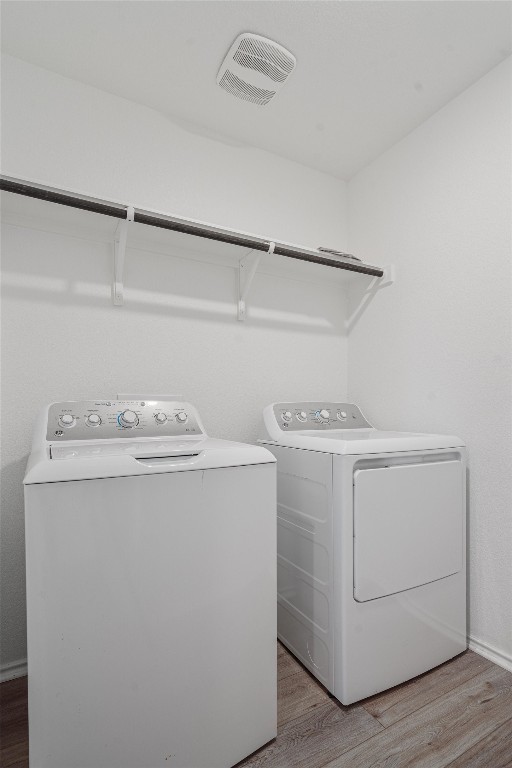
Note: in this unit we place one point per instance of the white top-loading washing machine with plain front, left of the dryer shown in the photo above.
(151, 590)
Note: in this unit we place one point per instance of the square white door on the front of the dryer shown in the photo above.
(408, 526)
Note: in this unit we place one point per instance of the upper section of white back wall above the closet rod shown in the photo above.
(62, 133)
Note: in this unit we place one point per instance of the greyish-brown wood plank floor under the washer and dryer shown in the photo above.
(457, 715)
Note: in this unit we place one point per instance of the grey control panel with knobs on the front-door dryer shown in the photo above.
(292, 417)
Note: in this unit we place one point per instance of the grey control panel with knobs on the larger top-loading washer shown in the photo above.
(104, 419)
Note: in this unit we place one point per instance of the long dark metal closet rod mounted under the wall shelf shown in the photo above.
(197, 229)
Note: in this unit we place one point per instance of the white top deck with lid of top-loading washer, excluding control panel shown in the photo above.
(123, 458)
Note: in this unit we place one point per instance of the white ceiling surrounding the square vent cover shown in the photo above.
(367, 72)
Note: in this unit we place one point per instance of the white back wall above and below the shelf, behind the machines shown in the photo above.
(177, 332)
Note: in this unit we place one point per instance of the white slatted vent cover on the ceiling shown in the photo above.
(255, 68)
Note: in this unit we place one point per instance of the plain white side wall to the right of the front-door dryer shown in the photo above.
(433, 352)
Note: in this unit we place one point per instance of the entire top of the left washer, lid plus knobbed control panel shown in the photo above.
(92, 439)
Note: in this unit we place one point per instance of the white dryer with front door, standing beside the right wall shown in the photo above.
(371, 546)
